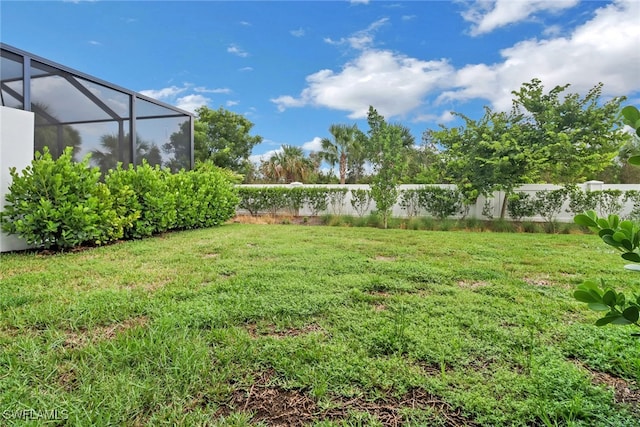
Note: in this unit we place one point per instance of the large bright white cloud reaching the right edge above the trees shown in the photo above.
(603, 49)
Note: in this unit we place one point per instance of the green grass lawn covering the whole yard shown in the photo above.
(329, 326)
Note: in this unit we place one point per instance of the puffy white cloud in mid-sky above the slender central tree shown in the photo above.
(394, 84)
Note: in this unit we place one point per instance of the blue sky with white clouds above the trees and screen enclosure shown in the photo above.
(295, 67)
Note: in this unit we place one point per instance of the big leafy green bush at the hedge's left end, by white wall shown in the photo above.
(60, 204)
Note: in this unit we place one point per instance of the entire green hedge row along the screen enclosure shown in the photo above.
(62, 204)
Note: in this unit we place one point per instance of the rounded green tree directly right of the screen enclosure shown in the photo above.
(224, 138)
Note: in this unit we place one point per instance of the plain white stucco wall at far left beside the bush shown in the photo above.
(16, 150)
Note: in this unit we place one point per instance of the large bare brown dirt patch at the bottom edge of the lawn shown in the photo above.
(279, 407)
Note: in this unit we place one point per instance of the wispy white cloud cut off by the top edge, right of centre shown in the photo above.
(487, 15)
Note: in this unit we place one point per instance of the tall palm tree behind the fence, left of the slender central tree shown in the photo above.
(345, 143)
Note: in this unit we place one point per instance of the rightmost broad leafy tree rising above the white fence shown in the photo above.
(576, 137)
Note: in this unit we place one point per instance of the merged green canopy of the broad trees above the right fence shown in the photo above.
(547, 137)
